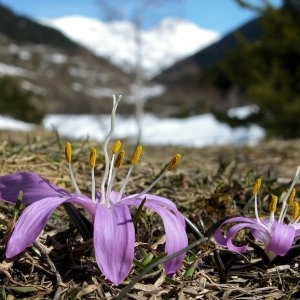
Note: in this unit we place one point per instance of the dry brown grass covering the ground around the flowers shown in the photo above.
(211, 183)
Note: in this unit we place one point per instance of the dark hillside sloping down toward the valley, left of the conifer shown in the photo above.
(187, 91)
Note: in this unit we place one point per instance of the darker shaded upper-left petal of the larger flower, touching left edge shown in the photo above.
(33, 186)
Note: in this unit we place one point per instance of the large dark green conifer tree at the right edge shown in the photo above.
(267, 71)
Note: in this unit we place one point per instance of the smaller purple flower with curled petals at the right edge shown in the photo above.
(276, 236)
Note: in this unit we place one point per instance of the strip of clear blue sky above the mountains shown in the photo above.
(219, 15)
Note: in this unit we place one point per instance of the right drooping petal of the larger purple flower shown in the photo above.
(176, 236)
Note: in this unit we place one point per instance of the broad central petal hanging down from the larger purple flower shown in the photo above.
(114, 238)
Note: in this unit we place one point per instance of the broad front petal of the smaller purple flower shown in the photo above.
(282, 238)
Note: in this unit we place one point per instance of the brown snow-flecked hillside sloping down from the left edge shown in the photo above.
(63, 76)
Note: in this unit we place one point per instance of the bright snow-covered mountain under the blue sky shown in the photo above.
(171, 40)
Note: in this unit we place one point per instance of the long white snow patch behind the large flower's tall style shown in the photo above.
(157, 131)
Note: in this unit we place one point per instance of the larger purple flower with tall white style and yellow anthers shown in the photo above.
(114, 233)
